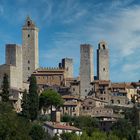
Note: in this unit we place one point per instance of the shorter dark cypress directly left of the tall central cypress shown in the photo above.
(25, 104)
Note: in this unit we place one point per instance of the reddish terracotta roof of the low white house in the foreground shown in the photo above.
(61, 126)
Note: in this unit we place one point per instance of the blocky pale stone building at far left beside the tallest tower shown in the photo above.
(13, 66)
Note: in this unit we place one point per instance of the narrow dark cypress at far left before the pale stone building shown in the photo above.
(5, 89)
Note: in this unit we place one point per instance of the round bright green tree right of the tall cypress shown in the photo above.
(50, 98)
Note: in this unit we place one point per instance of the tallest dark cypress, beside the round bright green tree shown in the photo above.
(33, 99)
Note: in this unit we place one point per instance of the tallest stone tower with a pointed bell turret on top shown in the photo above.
(29, 48)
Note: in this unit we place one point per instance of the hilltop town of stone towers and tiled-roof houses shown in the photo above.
(89, 94)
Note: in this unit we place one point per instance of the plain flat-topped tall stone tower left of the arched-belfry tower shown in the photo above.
(86, 69)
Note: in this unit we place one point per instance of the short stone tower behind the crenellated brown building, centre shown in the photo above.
(67, 64)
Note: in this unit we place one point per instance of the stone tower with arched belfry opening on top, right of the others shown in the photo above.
(103, 61)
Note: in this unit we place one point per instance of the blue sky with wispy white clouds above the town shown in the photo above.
(65, 24)
